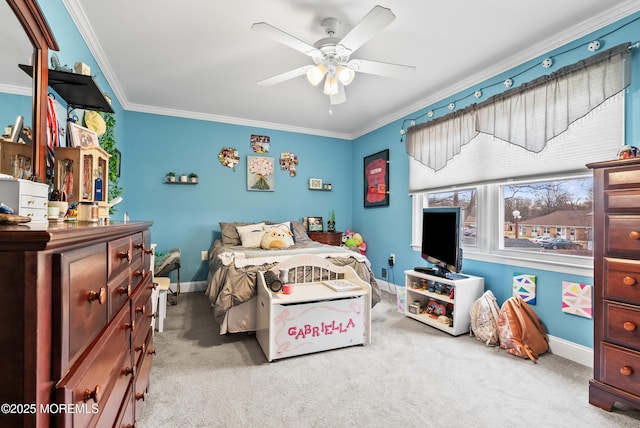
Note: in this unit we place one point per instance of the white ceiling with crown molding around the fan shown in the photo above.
(200, 59)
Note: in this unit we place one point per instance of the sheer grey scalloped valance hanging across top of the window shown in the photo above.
(527, 117)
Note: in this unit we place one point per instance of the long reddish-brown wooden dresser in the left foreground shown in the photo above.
(75, 331)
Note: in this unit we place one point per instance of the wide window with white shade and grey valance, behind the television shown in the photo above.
(522, 154)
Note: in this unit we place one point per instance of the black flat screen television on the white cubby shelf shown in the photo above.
(442, 238)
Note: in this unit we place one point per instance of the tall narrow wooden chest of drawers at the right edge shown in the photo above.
(616, 224)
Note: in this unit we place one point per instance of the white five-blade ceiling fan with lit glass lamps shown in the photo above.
(332, 55)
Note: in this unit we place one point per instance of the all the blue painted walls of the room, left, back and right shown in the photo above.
(187, 216)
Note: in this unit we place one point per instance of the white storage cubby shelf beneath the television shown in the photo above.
(441, 302)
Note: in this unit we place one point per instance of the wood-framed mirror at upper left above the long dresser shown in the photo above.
(30, 26)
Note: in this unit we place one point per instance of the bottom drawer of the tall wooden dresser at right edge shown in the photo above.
(621, 368)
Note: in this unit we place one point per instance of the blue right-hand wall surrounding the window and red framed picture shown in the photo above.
(388, 230)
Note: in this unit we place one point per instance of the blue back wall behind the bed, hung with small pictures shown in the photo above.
(187, 216)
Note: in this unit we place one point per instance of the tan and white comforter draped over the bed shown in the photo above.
(233, 270)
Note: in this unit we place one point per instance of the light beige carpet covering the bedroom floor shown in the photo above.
(412, 375)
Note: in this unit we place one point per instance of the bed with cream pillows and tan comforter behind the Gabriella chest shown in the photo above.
(240, 252)
